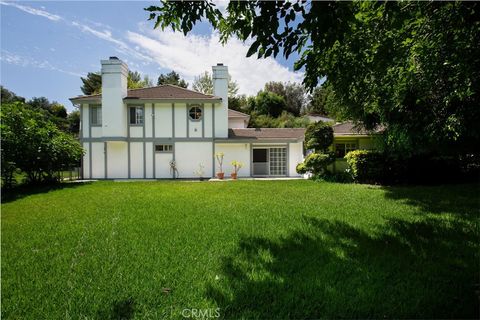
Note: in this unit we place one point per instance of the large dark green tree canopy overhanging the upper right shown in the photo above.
(413, 67)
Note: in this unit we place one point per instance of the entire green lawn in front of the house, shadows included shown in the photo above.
(254, 249)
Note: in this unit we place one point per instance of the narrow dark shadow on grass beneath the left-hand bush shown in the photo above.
(16, 193)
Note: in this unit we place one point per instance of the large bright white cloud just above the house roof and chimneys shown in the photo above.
(193, 54)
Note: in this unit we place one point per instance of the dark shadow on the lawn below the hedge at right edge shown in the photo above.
(462, 200)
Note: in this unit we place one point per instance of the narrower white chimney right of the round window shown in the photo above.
(220, 89)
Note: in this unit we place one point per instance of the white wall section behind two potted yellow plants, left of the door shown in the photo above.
(234, 151)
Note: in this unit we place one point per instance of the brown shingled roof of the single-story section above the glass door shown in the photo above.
(266, 133)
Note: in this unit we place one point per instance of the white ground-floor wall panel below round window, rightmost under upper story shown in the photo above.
(188, 156)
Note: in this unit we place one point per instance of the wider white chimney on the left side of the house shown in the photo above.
(114, 89)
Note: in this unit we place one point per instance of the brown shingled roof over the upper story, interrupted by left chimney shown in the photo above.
(166, 91)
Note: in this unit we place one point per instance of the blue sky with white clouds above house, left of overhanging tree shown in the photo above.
(47, 46)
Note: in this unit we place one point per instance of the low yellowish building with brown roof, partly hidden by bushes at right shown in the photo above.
(347, 137)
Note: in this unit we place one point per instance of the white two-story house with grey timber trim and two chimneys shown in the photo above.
(139, 133)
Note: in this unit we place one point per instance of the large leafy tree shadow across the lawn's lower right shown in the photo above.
(331, 269)
